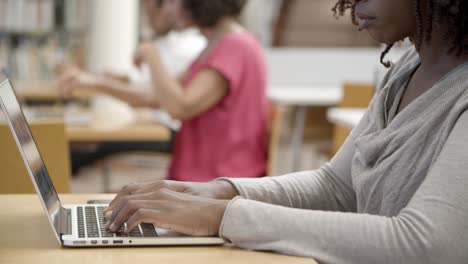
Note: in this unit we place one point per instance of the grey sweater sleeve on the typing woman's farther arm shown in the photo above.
(329, 188)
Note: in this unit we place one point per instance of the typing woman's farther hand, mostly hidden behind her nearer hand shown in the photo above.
(215, 190)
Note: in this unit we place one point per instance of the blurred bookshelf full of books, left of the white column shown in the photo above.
(35, 35)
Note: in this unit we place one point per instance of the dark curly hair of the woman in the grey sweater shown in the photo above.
(453, 12)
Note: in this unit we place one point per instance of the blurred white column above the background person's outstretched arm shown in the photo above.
(113, 35)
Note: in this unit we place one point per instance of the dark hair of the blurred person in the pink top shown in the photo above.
(207, 13)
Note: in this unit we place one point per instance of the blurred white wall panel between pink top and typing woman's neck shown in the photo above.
(325, 66)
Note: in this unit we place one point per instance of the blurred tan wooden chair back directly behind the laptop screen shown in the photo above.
(53, 146)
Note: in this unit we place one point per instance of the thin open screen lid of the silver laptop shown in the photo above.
(30, 153)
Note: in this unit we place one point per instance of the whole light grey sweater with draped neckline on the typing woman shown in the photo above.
(396, 192)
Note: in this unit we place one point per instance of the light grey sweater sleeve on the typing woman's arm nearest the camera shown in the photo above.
(433, 228)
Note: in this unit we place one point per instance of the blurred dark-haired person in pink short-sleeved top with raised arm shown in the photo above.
(221, 99)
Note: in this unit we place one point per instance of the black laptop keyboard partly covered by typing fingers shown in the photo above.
(91, 225)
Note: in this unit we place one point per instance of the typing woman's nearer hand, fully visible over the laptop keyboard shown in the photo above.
(167, 209)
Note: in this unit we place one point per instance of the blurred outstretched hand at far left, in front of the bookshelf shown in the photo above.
(72, 78)
